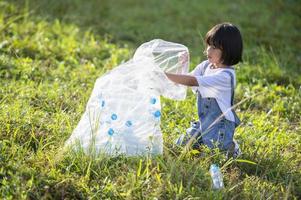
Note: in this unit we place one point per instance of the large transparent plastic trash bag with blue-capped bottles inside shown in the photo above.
(123, 113)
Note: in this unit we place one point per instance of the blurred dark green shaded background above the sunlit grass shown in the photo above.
(273, 25)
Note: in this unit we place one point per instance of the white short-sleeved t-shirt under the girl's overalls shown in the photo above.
(216, 84)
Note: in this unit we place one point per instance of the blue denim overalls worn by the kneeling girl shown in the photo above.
(212, 129)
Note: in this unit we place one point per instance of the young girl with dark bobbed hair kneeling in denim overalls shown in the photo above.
(215, 82)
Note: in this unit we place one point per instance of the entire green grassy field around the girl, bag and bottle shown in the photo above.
(51, 53)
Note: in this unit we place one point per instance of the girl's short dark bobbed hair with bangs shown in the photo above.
(226, 37)
